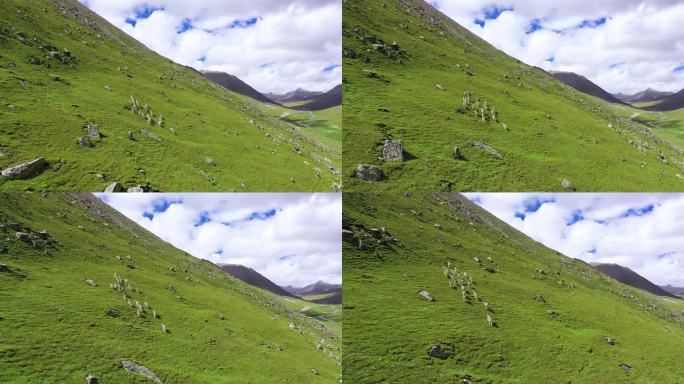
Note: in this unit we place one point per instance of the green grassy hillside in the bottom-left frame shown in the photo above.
(55, 326)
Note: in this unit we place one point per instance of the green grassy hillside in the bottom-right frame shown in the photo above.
(551, 315)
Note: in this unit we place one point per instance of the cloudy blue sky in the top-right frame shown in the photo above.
(585, 36)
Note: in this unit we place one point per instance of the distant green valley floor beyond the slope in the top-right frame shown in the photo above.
(668, 125)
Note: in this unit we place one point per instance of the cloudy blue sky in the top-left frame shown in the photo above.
(300, 40)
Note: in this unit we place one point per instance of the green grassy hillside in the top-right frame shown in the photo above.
(406, 69)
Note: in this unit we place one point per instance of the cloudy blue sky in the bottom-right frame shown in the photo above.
(644, 232)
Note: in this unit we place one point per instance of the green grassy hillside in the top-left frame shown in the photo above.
(62, 67)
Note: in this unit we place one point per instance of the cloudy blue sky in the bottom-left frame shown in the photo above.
(291, 238)
